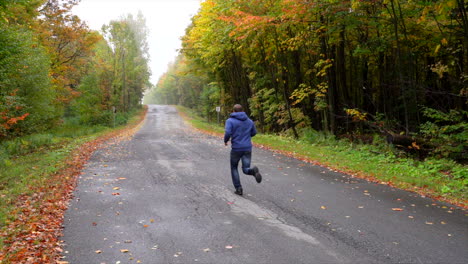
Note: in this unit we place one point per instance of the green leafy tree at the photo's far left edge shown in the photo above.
(24, 81)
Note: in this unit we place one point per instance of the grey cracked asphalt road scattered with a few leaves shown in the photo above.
(166, 196)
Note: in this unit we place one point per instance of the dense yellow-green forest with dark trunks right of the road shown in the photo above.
(351, 69)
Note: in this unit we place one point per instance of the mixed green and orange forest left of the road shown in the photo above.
(54, 69)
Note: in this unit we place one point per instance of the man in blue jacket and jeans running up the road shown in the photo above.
(240, 129)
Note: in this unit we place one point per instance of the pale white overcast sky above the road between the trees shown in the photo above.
(166, 21)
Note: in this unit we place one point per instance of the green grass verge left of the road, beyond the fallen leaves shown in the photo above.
(28, 163)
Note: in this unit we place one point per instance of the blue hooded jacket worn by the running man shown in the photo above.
(240, 129)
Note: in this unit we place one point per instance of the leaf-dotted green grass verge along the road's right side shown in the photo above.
(440, 179)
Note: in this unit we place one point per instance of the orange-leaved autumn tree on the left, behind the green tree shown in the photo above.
(69, 42)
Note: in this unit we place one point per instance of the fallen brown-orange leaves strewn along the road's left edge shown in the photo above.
(33, 237)
